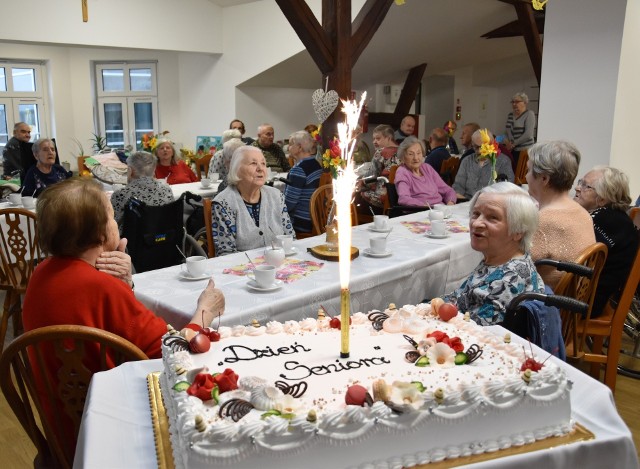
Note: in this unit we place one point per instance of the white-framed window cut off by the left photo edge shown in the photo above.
(21, 99)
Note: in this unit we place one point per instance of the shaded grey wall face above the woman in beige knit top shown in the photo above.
(580, 76)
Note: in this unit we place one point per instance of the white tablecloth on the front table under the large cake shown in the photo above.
(116, 429)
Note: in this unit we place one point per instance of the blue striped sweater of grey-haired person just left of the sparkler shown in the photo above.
(304, 178)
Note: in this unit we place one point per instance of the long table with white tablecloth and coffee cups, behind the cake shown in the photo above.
(419, 268)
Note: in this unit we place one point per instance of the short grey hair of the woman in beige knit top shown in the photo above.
(558, 159)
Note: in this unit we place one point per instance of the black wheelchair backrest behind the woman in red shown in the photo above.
(153, 233)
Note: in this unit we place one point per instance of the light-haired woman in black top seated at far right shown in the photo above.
(604, 193)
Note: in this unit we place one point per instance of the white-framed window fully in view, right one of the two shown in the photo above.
(127, 102)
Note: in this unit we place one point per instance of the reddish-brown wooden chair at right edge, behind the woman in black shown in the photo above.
(610, 326)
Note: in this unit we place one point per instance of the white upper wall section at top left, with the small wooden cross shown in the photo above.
(187, 25)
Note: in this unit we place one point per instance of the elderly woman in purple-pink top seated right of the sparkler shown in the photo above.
(416, 182)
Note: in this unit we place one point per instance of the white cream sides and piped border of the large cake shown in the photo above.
(509, 401)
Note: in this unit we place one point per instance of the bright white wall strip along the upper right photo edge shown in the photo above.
(625, 121)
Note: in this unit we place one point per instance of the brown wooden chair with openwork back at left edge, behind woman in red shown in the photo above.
(19, 252)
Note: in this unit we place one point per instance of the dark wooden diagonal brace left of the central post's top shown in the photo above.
(313, 36)
